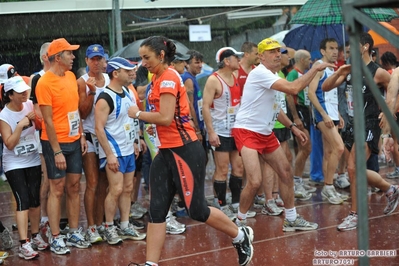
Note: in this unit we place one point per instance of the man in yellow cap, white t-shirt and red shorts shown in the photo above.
(253, 132)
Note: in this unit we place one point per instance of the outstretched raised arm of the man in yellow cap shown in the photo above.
(297, 85)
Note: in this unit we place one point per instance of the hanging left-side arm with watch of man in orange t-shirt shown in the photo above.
(47, 112)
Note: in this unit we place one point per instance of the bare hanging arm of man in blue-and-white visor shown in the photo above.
(101, 113)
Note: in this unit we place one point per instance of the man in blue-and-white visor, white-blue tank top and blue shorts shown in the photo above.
(116, 134)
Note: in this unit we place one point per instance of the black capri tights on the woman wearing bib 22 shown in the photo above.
(25, 185)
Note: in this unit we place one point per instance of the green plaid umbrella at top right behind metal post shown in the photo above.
(326, 12)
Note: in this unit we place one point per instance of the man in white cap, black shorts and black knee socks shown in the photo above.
(221, 101)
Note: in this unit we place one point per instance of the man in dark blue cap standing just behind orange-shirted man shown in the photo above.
(90, 85)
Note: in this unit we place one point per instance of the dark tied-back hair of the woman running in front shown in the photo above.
(160, 43)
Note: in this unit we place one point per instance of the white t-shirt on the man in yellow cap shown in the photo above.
(260, 104)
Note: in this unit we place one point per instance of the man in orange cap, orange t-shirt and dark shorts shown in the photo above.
(63, 142)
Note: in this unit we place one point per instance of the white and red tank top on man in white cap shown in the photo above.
(224, 108)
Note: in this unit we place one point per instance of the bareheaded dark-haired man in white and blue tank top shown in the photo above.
(327, 119)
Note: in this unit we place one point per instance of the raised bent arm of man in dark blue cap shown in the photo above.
(86, 100)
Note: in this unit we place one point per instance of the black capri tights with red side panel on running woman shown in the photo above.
(180, 170)
